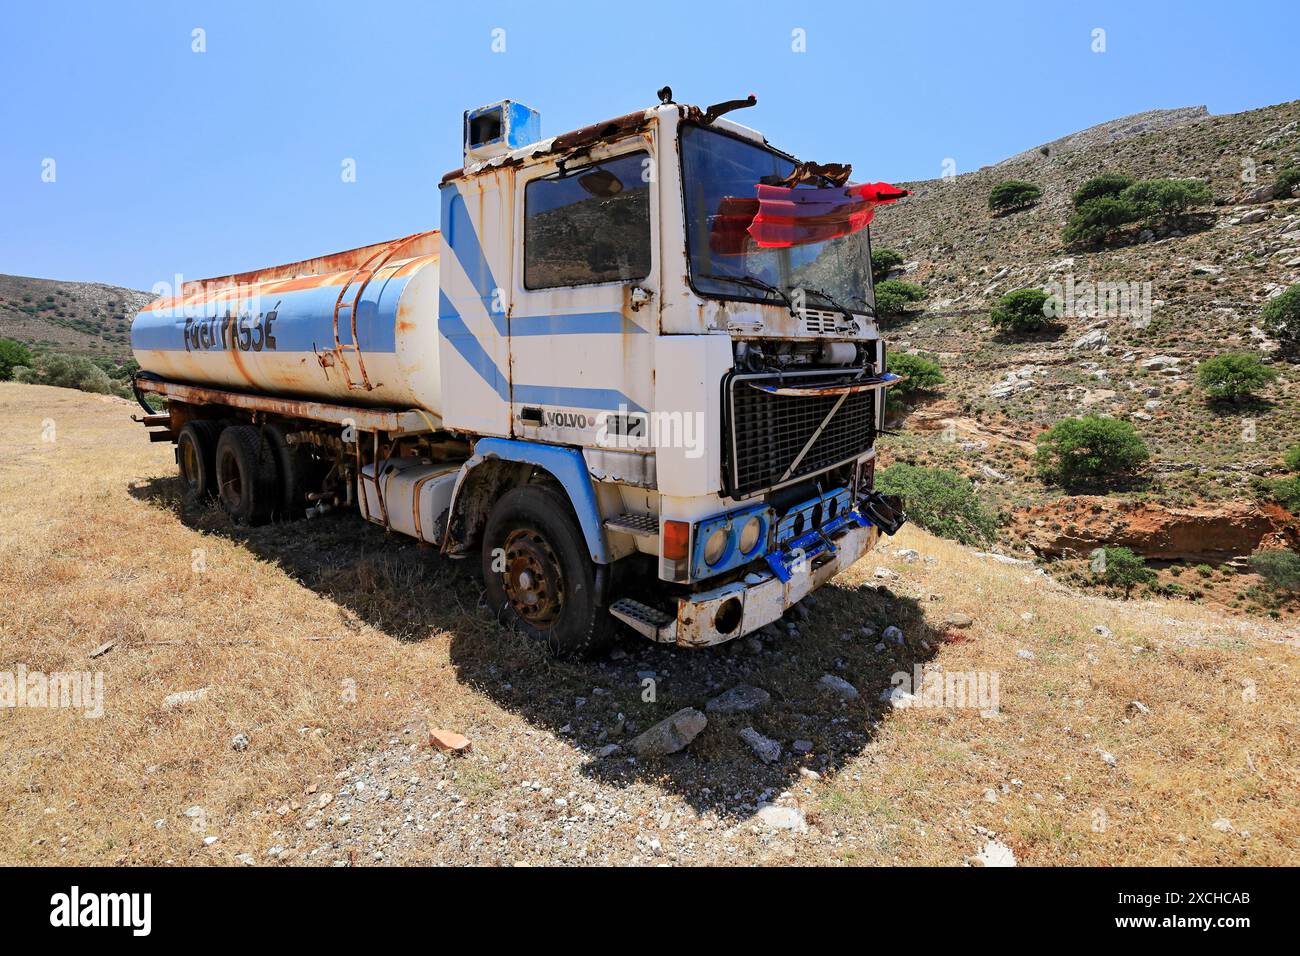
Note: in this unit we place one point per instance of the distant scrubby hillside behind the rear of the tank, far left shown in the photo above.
(75, 318)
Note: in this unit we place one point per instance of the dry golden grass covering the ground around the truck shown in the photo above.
(323, 642)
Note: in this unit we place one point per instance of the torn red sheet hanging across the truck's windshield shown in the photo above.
(783, 217)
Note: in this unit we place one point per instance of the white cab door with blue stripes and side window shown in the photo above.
(586, 301)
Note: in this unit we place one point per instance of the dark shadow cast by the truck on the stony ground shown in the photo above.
(411, 594)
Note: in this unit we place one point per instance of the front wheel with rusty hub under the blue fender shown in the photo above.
(539, 574)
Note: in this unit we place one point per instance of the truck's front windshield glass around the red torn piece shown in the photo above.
(718, 167)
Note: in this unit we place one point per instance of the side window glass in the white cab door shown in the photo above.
(588, 226)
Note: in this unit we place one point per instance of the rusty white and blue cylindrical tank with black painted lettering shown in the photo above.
(275, 332)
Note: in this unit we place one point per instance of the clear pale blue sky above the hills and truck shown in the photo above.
(168, 161)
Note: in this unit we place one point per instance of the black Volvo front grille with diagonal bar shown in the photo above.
(768, 432)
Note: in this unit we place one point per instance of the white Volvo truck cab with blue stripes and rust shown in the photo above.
(601, 295)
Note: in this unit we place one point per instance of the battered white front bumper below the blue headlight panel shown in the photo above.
(740, 608)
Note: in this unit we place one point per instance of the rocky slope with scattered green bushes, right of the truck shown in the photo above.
(1194, 293)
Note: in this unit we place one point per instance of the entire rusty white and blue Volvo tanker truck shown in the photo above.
(636, 371)
